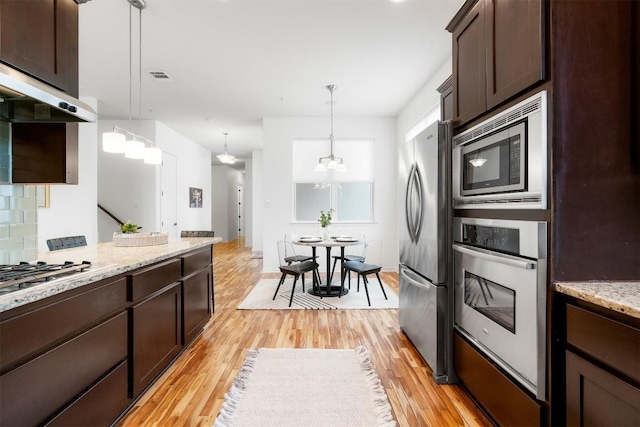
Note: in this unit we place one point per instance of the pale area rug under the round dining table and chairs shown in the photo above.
(261, 297)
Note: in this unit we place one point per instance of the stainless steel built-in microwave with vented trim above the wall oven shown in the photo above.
(502, 162)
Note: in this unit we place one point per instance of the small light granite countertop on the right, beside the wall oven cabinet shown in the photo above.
(623, 297)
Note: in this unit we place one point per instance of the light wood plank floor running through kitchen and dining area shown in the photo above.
(192, 391)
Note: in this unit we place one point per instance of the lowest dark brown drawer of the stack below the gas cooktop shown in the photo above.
(101, 404)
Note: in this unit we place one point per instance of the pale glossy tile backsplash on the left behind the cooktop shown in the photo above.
(18, 224)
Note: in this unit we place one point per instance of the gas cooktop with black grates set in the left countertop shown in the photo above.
(24, 275)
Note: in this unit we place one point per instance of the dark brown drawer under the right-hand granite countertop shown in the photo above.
(609, 341)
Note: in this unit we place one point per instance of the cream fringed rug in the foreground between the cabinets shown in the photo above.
(306, 388)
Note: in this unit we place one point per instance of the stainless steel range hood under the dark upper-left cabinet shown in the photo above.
(24, 99)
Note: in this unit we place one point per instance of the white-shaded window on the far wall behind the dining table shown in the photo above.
(349, 194)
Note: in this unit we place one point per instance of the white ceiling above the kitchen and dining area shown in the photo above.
(234, 62)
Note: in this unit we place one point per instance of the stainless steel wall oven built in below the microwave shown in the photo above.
(500, 275)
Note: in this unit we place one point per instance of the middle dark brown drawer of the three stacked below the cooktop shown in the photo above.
(34, 391)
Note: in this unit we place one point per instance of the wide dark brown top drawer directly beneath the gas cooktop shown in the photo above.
(31, 333)
